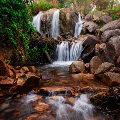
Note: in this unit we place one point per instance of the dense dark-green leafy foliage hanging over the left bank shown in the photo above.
(15, 28)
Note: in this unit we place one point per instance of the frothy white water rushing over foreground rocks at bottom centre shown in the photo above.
(81, 110)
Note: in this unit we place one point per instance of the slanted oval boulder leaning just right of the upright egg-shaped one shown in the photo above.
(104, 67)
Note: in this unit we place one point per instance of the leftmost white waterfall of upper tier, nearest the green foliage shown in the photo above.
(37, 21)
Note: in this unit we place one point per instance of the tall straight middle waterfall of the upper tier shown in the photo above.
(55, 24)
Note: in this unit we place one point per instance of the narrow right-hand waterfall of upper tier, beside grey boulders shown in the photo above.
(78, 27)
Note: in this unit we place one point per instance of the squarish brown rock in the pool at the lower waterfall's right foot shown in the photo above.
(77, 67)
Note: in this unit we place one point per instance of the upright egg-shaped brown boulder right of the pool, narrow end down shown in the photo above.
(95, 63)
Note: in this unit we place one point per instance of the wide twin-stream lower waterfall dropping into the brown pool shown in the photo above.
(65, 52)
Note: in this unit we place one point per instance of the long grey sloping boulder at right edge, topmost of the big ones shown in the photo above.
(111, 26)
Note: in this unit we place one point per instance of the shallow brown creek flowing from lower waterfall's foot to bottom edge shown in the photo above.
(58, 98)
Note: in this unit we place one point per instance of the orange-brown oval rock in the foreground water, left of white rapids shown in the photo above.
(41, 107)
